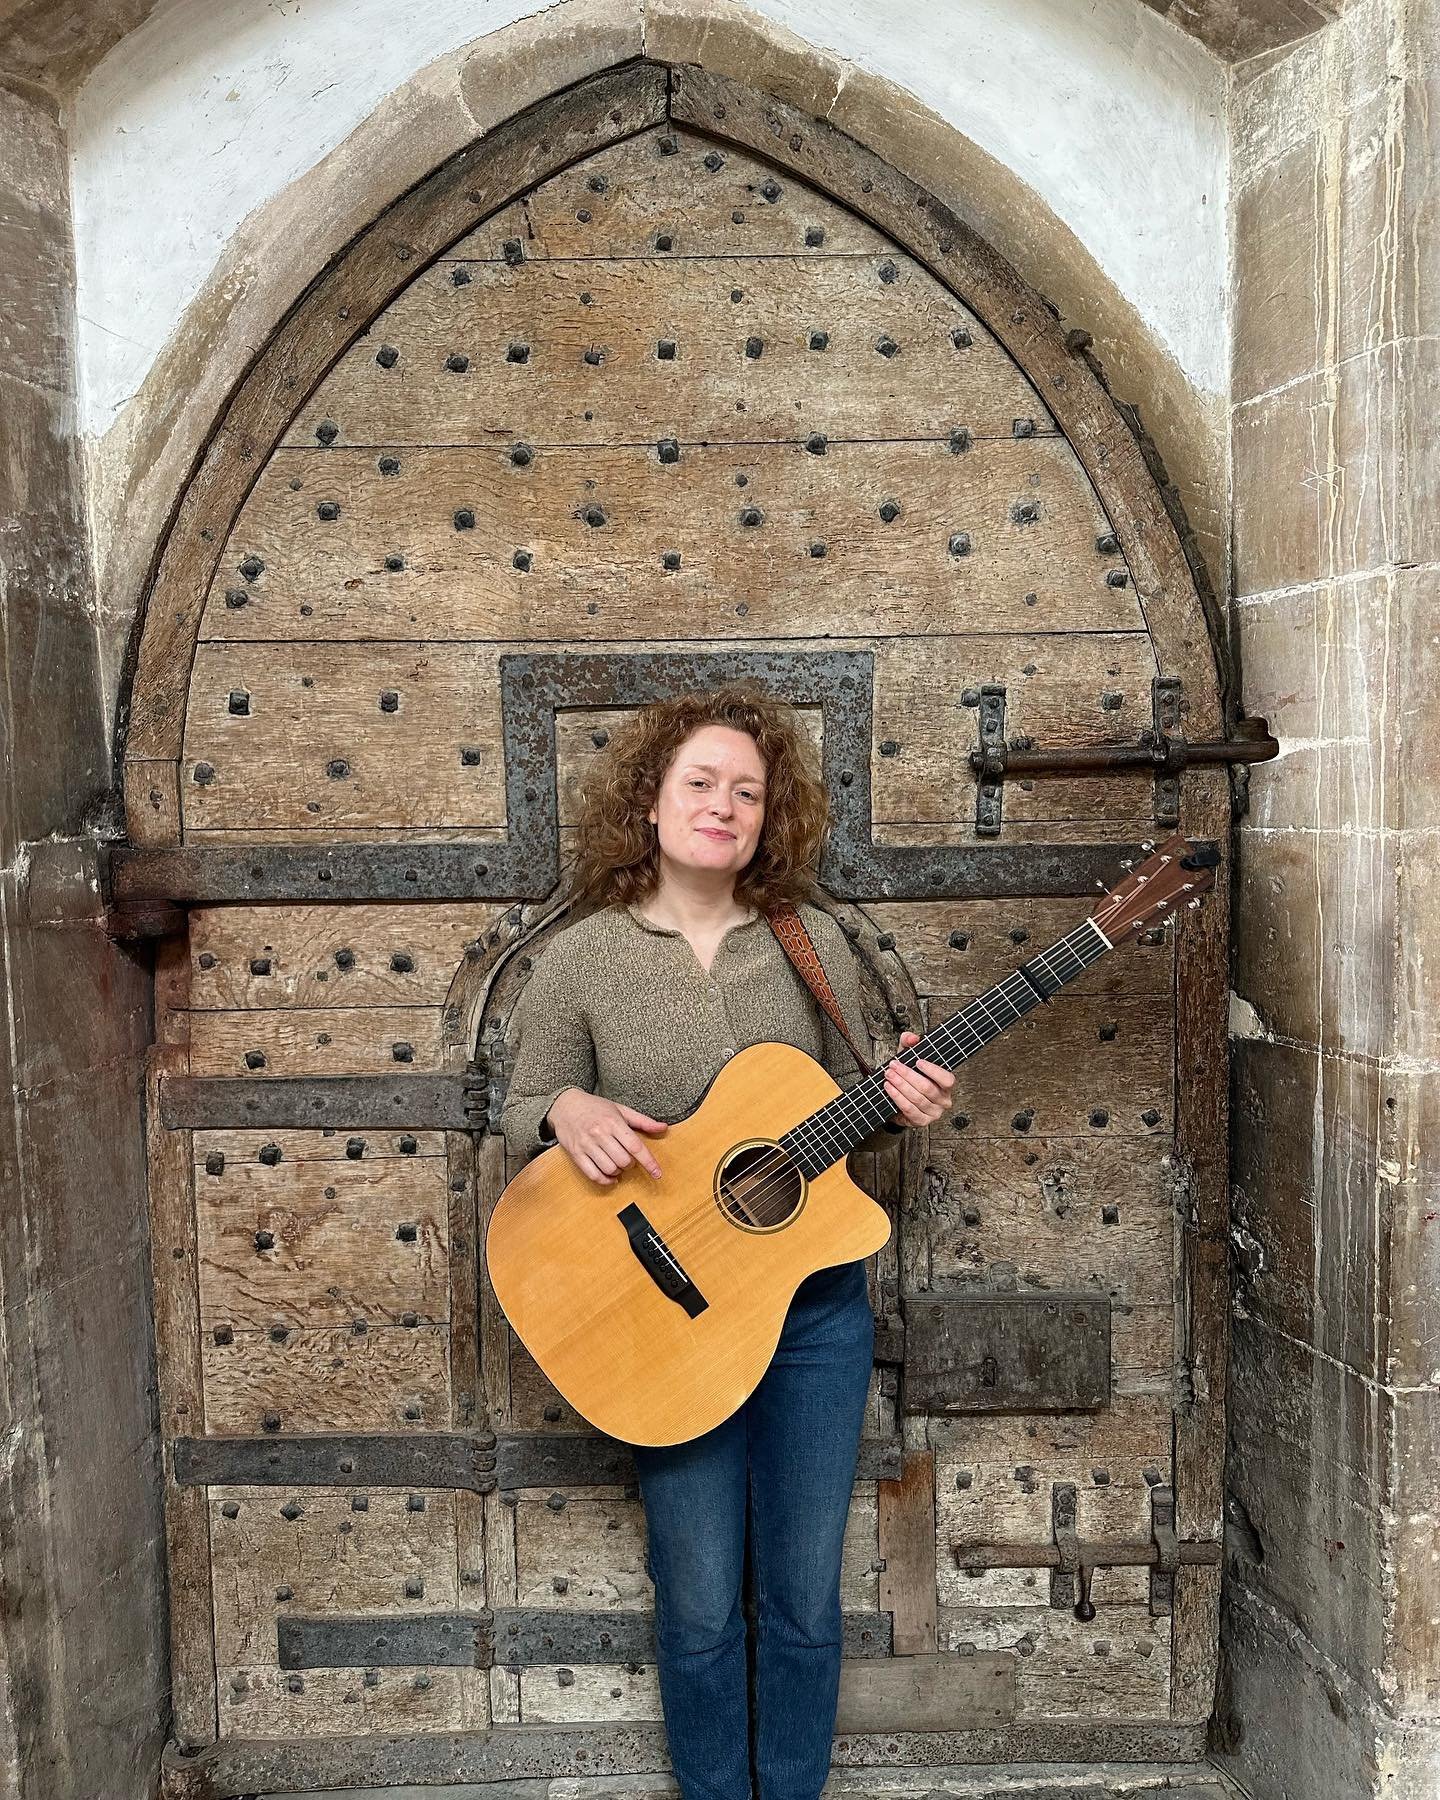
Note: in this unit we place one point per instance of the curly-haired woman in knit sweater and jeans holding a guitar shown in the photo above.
(703, 816)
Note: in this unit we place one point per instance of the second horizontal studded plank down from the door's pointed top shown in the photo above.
(552, 368)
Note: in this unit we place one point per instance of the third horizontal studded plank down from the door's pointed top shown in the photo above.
(534, 564)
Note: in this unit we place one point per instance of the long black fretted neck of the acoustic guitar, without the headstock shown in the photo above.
(831, 1135)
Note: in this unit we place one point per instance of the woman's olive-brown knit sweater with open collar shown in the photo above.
(622, 1007)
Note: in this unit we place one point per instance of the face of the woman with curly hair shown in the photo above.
(712, 802)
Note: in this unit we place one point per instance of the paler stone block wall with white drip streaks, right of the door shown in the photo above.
(1331, 1624)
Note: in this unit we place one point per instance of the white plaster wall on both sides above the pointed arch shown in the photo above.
(1115, 118)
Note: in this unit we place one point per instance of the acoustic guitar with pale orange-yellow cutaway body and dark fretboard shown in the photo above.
(656, 1306)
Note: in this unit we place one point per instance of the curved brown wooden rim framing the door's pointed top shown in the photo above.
(357, 285)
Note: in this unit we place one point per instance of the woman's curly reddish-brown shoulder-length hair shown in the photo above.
(618, 852)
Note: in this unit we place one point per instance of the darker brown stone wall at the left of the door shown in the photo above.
(84, 1680)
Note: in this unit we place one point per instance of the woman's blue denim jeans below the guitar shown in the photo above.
(789, 1457)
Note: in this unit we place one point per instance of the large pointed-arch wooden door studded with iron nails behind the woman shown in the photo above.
(690, 390)
